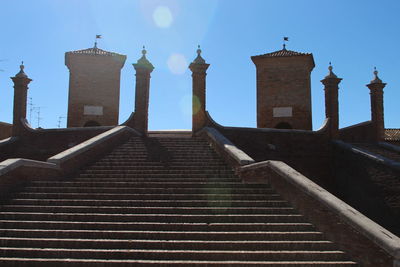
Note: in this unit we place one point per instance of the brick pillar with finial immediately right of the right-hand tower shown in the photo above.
(331, 83)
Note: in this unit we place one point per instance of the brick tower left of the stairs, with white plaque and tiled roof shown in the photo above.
(94, 82)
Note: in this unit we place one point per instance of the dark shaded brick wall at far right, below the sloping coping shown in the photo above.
(370, 187)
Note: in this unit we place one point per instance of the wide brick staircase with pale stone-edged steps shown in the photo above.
(158, 201)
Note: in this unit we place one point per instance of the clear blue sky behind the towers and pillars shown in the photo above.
(354, 35)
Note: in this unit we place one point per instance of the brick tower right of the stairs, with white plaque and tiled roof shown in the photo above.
(284, 89)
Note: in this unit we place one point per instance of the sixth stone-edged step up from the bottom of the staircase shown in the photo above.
(159, 217)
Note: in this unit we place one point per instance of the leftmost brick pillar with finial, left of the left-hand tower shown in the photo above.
(21, 82)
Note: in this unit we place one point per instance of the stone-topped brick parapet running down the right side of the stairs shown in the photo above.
(364, 240)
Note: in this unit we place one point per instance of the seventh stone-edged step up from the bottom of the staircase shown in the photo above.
(147, 210)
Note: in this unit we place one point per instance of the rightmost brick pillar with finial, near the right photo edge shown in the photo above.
(377, 116)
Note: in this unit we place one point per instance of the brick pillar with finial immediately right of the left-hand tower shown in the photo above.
(141, 116)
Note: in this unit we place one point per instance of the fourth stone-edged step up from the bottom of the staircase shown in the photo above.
(164, 235)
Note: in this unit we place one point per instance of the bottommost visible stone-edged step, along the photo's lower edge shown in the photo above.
(41, 262)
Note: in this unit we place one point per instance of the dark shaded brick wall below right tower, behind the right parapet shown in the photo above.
(306, 151)
